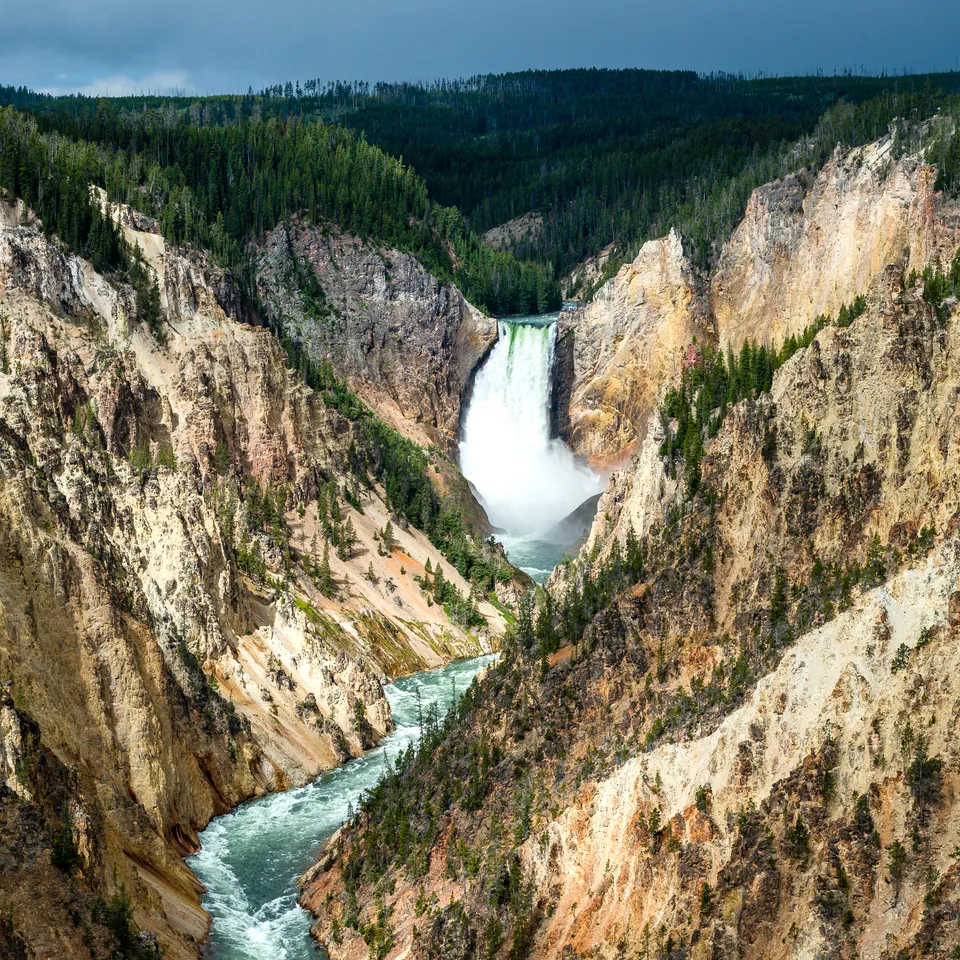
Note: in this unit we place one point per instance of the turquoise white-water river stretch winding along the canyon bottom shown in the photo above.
(250, 858)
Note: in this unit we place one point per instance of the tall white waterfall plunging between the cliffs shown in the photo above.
(526, 480)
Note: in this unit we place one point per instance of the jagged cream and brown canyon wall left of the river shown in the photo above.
(169, 642)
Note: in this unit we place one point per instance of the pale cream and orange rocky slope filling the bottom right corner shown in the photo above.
(833, 708)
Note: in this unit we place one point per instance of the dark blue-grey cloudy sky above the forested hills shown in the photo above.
(207, 46)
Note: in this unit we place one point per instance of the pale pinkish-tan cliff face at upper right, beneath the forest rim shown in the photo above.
(808, 244)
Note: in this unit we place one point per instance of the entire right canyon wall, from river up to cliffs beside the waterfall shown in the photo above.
(728, 732)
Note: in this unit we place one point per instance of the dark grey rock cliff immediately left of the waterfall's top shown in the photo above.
(407, 344)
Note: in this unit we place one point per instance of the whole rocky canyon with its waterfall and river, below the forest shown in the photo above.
(231, 516)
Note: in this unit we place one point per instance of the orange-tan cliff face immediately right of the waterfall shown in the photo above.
(624, 345)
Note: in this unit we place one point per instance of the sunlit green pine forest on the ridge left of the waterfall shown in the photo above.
(216, 187)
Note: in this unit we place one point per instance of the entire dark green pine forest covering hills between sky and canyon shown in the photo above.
(607, 157)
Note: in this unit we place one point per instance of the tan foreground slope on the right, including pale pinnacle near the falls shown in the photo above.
(732, 758)
